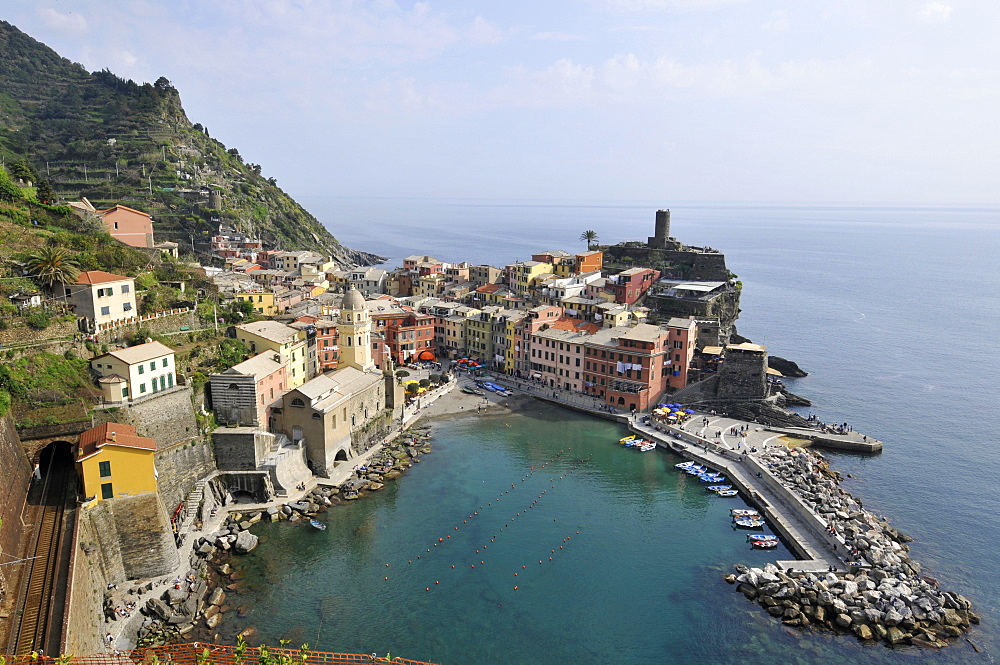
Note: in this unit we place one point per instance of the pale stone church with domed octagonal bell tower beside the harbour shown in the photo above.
(341, 414)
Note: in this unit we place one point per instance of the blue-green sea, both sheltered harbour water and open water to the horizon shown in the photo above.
(534, 538)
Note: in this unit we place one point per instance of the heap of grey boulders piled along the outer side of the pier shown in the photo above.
(882, 597)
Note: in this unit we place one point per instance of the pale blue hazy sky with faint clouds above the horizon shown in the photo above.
(867, 101)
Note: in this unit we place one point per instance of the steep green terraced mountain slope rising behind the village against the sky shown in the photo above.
(79, 134)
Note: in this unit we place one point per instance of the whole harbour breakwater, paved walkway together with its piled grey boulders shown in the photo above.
(855, 574)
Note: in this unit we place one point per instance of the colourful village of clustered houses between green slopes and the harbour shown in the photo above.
(272, 369)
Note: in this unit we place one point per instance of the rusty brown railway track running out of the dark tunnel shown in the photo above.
(33, 629)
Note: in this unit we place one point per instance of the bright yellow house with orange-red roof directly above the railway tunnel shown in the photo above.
(113, 461)
